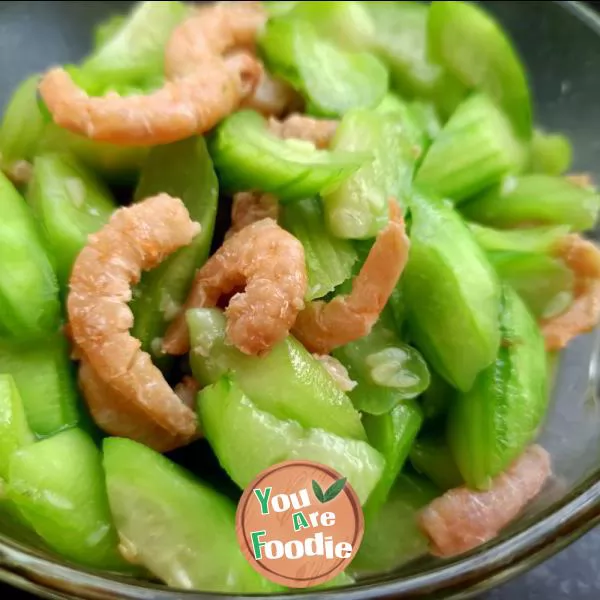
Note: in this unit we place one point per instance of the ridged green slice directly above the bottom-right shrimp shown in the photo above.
(490, 426)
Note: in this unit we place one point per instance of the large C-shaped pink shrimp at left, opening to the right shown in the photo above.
(121, 377)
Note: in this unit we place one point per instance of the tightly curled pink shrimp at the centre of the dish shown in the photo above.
(269, 263)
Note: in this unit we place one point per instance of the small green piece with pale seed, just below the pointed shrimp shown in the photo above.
(387, 370)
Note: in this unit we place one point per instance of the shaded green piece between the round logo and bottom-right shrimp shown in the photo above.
(393, 537)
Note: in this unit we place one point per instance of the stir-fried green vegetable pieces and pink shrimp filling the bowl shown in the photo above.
(241, 233)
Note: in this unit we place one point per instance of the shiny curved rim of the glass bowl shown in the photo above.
(469, 574)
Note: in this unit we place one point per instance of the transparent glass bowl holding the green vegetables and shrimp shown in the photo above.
(560, 42)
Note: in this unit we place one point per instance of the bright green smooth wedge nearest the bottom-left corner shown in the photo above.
(58, 487)
